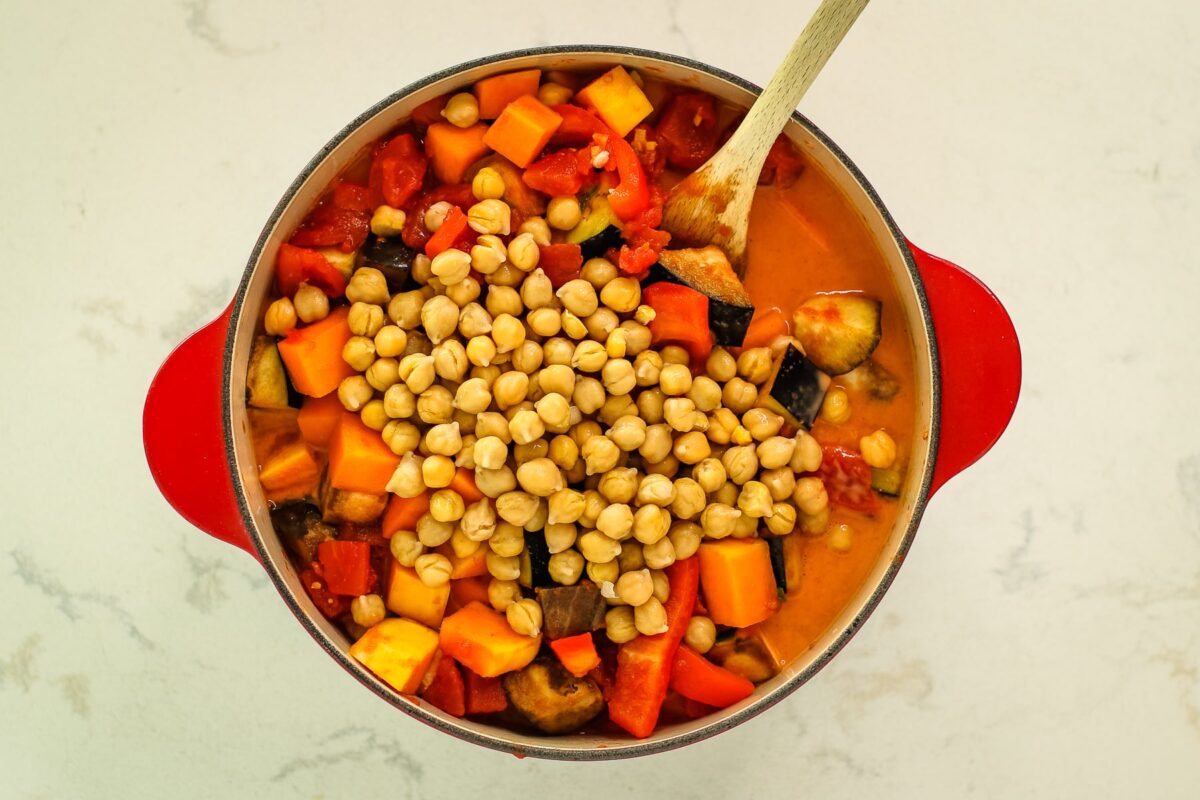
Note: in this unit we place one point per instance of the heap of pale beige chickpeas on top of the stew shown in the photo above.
(573, 423)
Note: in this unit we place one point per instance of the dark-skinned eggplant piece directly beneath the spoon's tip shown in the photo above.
(709, 272)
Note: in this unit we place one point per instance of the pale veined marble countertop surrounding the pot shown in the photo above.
(1043, 639)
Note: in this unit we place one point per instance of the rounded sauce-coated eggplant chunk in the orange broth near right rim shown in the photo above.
(838, 332)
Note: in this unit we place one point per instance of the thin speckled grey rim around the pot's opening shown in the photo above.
(550, 750)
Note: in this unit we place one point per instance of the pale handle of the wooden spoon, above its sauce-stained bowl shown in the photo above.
(813, 49)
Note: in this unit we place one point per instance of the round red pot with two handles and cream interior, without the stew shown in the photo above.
(968, 365)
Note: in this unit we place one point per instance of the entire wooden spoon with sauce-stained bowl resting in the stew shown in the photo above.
(712, 206)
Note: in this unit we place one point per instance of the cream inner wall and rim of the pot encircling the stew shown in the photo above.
(581, 747)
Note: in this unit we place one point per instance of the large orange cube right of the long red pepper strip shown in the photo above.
(737, 581)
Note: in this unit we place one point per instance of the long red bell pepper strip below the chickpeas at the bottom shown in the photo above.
(644, 666)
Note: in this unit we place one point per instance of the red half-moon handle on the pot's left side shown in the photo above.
(184, 436)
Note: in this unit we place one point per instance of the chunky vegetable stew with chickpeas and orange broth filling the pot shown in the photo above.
(545, 466)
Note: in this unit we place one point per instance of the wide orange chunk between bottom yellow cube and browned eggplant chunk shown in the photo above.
(482, 641)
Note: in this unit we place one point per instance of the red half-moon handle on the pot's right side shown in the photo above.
(981, 364)
